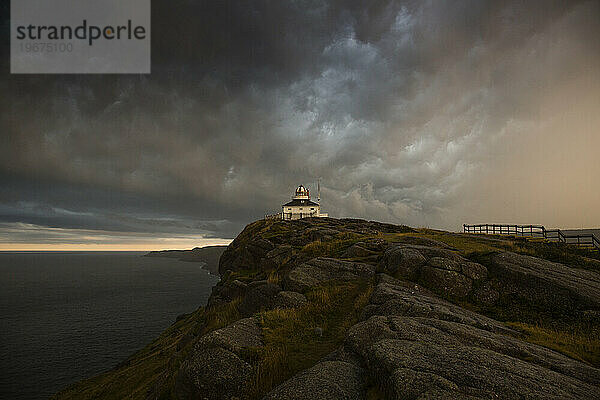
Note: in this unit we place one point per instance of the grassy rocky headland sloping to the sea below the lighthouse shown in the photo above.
(351, 309)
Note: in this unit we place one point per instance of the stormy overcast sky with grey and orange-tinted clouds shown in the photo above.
(426, 113)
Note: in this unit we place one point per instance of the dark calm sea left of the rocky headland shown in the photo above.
(70, 315)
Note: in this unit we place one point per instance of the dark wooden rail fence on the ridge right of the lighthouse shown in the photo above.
(586, 239)
